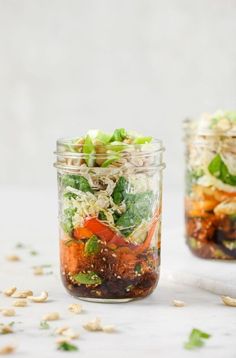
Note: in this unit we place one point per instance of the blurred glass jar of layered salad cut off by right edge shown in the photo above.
(210, 199)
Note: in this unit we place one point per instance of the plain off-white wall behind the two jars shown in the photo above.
(70, 65)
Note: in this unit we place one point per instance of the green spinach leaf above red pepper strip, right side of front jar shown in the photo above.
(138, 207)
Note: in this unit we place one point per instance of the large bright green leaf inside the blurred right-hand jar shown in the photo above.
(219, 170)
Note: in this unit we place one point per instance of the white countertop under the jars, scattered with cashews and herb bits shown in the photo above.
(147, 328)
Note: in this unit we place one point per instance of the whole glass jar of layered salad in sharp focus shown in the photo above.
(110, 221)
